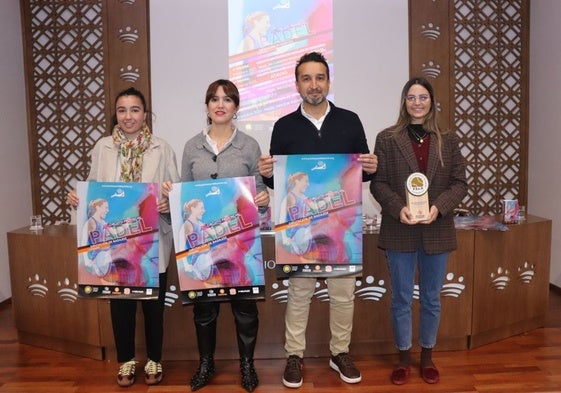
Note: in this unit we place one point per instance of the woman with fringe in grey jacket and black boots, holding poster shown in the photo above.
(221, 151)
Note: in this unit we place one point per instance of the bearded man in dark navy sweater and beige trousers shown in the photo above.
(317, 127)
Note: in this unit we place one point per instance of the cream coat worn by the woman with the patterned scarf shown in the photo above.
(158, 165)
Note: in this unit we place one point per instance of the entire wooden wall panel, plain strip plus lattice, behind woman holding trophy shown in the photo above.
(475, 55)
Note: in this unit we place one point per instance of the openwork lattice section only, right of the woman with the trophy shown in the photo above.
(490, 99)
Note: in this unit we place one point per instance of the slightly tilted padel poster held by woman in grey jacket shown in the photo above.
(217, 240)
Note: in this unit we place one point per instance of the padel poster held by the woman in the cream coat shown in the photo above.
(117, 238)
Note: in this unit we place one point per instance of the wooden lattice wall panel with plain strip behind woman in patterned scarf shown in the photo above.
(79, 53)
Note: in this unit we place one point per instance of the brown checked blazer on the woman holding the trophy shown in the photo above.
(447, 188)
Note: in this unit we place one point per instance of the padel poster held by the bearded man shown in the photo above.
(318, 205)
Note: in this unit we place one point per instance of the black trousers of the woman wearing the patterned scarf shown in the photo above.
(123, 319)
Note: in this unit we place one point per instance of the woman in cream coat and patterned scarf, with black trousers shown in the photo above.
(133, 154)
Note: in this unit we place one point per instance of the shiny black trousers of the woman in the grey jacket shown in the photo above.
(247, 324)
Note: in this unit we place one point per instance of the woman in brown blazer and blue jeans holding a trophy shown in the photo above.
(416, 144)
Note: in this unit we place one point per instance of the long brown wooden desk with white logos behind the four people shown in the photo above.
(496, 286)
